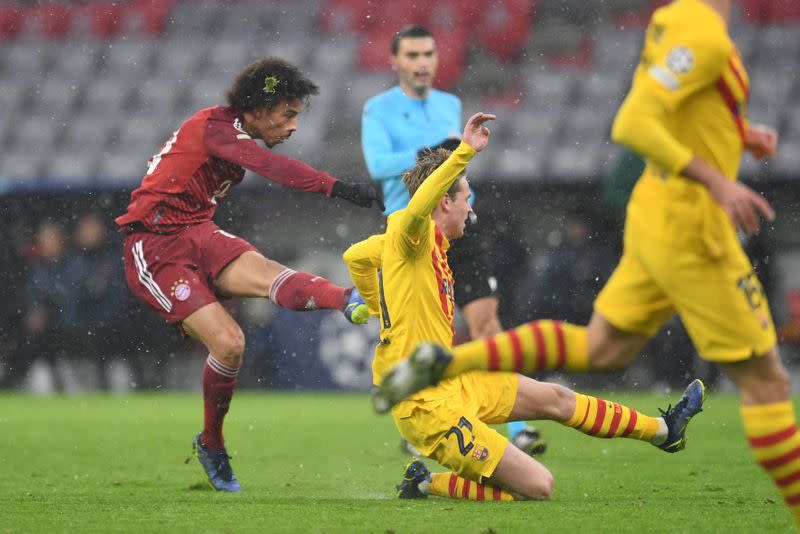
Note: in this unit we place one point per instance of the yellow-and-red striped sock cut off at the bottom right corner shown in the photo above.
(772, 432)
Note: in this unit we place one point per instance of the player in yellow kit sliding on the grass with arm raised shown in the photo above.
(404, 277)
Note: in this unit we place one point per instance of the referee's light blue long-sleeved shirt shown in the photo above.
(394, 127)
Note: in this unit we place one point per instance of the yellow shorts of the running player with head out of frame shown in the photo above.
(719, 299)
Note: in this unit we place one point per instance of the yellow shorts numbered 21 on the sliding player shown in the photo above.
(448, 422)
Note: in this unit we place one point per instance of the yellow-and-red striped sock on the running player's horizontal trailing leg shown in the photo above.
(528, 349)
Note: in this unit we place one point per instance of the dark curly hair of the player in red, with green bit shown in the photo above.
(267, 82)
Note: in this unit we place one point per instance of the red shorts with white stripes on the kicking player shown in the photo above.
(174, 274)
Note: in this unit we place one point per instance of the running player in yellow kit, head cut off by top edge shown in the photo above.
(686, 115)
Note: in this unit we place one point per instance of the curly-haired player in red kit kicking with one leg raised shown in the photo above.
(178, 262)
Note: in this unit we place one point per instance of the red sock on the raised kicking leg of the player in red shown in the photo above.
(306, 292)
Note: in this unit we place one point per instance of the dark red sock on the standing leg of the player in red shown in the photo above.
(219, 381)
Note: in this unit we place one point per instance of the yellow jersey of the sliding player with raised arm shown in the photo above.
(403, 274)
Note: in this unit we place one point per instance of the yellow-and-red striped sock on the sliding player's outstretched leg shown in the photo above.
(604, 419)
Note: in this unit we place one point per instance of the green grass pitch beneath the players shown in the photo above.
(326, 463)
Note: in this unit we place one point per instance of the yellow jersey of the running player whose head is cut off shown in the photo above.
(688, 98)
